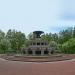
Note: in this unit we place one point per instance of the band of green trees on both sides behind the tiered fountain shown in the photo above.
(14, 41)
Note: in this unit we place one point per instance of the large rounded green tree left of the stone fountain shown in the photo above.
(16, 38)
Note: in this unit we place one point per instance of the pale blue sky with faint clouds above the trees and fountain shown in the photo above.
(30, 15)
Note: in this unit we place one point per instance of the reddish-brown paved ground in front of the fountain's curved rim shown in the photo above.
(46, 68)
